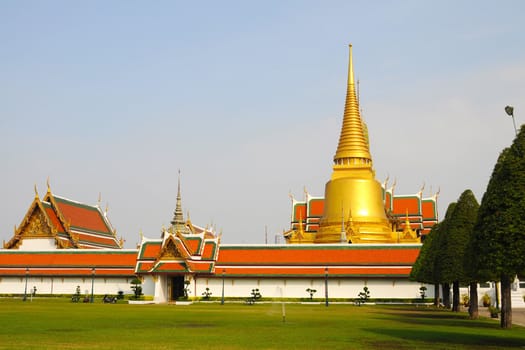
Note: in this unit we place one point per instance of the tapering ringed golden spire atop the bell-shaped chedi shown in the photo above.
(353, 146)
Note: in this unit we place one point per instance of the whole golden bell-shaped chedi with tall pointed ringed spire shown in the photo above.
(354, 210)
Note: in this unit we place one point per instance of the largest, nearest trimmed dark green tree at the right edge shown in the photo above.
(499, 234)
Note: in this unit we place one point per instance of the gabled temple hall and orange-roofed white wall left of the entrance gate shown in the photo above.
(63, 244)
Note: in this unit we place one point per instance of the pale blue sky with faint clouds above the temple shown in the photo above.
(246, 98)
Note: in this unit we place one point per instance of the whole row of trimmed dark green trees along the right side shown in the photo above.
(477, 243)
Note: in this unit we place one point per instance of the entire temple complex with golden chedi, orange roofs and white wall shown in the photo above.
(359, 234)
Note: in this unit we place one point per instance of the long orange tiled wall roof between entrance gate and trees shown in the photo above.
(312, 260)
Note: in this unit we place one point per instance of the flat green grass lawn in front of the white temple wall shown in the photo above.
(60, 324)
